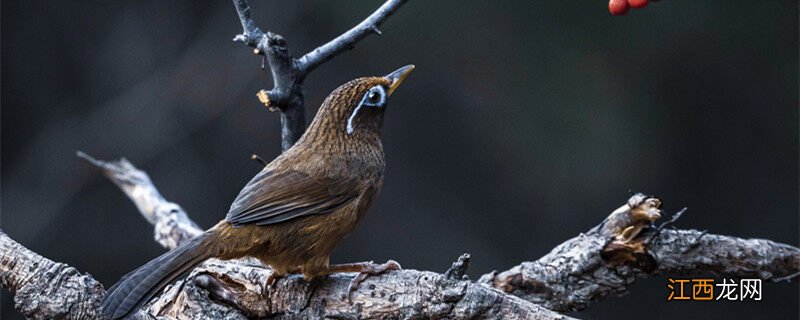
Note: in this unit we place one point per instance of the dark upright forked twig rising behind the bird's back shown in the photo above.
(288, 73)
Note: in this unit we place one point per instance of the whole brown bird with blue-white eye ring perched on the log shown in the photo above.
(294, 212)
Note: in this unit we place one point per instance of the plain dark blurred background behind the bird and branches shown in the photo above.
(524, 124)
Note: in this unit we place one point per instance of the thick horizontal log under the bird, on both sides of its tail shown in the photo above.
(237, 290)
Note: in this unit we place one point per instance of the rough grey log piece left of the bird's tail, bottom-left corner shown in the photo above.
(44, 289)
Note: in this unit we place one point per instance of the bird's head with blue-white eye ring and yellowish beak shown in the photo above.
(355, 110)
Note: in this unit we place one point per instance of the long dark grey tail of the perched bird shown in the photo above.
(137, 287)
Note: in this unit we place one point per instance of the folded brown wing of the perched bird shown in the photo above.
(273, 197)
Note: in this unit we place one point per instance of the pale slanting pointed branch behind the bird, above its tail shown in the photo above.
(172, 224)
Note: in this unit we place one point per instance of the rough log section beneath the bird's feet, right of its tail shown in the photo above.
(238, 290)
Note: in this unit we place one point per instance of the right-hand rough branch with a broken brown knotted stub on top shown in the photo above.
(607, 259)
